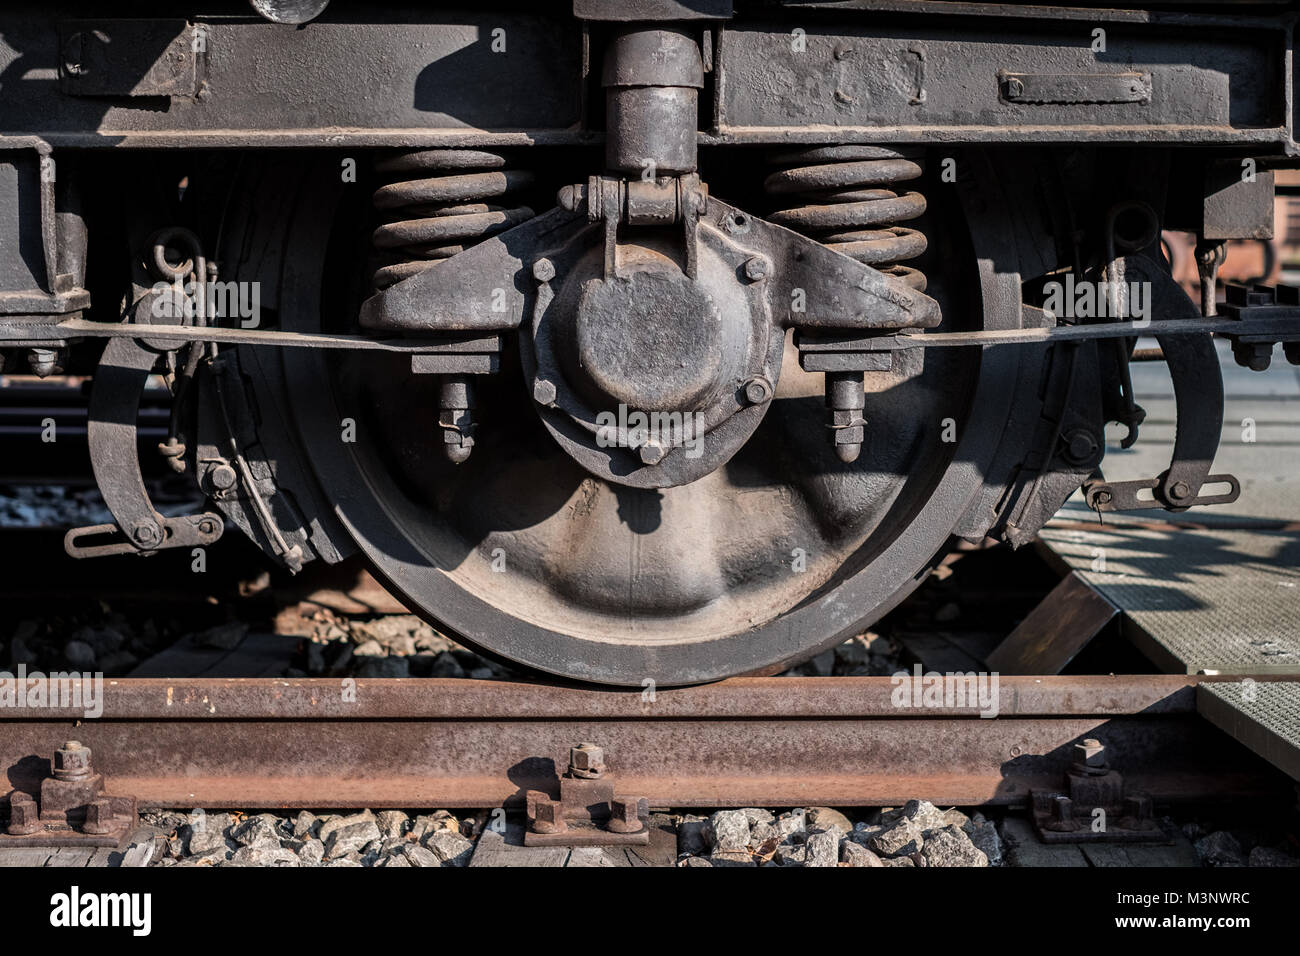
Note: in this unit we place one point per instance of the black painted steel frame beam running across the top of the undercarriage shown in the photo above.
(934, 72)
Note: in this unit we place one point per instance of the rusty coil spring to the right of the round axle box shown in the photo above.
(848, 205)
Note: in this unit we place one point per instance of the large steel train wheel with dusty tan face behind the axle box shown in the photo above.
(522, 553)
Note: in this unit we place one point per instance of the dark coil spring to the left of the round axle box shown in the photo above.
(437, 205)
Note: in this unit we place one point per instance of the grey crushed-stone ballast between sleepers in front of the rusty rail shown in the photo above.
(915, 836)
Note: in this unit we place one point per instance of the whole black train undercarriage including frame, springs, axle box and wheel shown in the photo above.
(657, 284)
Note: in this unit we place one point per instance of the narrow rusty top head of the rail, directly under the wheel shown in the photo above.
(216, 700)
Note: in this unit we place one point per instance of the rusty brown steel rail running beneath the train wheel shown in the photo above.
(746, 742)
